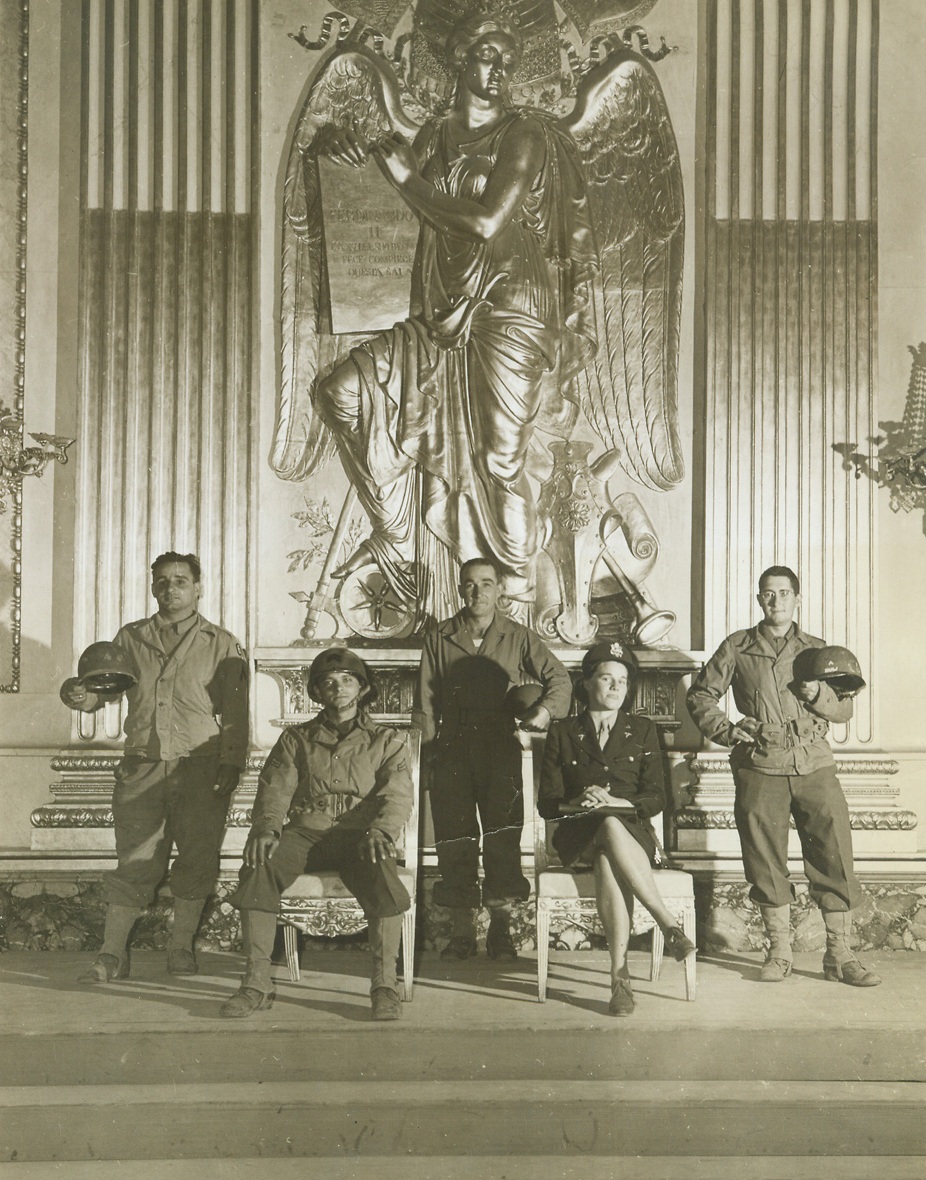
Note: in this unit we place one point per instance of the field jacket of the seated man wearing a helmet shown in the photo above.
(313, 771)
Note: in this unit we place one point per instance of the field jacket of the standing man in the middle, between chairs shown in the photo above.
(462, 685)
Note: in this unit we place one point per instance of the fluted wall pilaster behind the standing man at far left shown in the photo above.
(168, 165)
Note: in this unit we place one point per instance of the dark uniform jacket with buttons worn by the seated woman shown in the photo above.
(631, 765)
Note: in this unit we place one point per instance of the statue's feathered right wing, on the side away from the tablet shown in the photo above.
(634, 178)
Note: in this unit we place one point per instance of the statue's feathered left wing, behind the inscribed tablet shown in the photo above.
(356, 89)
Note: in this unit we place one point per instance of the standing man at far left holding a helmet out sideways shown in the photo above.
(186, 746)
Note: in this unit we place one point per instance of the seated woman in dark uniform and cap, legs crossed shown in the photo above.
(602, 778)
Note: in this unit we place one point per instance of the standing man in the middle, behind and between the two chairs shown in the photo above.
(469, 664)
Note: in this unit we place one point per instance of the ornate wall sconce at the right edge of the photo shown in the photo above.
(902, 449)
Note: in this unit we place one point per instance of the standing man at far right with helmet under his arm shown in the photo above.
(790, 687)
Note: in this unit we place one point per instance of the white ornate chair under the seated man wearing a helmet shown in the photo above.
(321, 907)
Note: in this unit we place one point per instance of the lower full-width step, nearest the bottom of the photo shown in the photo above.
(451, 1119)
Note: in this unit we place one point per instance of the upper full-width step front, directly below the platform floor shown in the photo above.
(406, 1053)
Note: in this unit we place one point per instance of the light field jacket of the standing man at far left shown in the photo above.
(192, 703)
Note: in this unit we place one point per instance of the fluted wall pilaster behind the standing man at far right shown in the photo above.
(791, 314)
